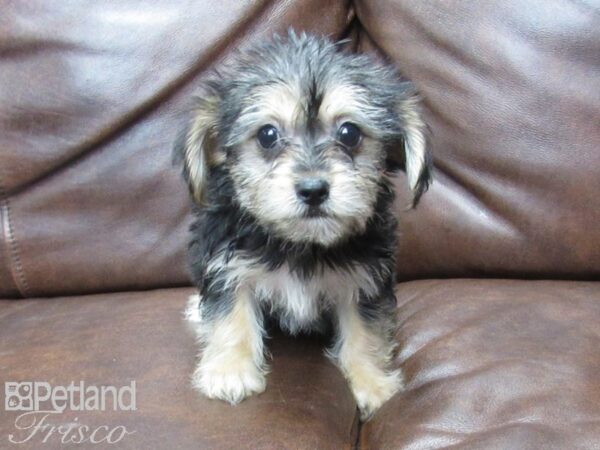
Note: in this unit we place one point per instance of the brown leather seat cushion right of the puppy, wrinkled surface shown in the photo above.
(495, 365)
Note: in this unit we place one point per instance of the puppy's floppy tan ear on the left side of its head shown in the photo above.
(196, 147)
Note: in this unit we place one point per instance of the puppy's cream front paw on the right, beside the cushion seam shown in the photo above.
(372, 392)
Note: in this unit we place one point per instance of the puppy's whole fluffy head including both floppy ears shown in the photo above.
(307, 134)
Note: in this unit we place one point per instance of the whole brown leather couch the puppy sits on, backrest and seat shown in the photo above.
(498, 300)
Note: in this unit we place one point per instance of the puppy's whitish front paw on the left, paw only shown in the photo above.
(232, 383)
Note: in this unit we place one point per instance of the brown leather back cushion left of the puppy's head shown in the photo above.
(91, 99)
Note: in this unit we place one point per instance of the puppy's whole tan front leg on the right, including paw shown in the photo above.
(364, 352)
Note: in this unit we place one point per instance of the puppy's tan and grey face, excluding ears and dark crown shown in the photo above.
(304, 163)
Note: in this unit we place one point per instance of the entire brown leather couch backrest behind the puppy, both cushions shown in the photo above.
(91, 98)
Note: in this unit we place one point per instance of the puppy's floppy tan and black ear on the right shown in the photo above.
(416, 158)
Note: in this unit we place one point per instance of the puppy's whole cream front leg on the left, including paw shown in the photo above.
(232, 365)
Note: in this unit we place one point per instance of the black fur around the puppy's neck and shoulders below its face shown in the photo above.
(224, 227)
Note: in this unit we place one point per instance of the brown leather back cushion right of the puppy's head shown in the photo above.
(512, 95)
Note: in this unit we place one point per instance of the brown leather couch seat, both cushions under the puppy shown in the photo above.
(488, 364)
